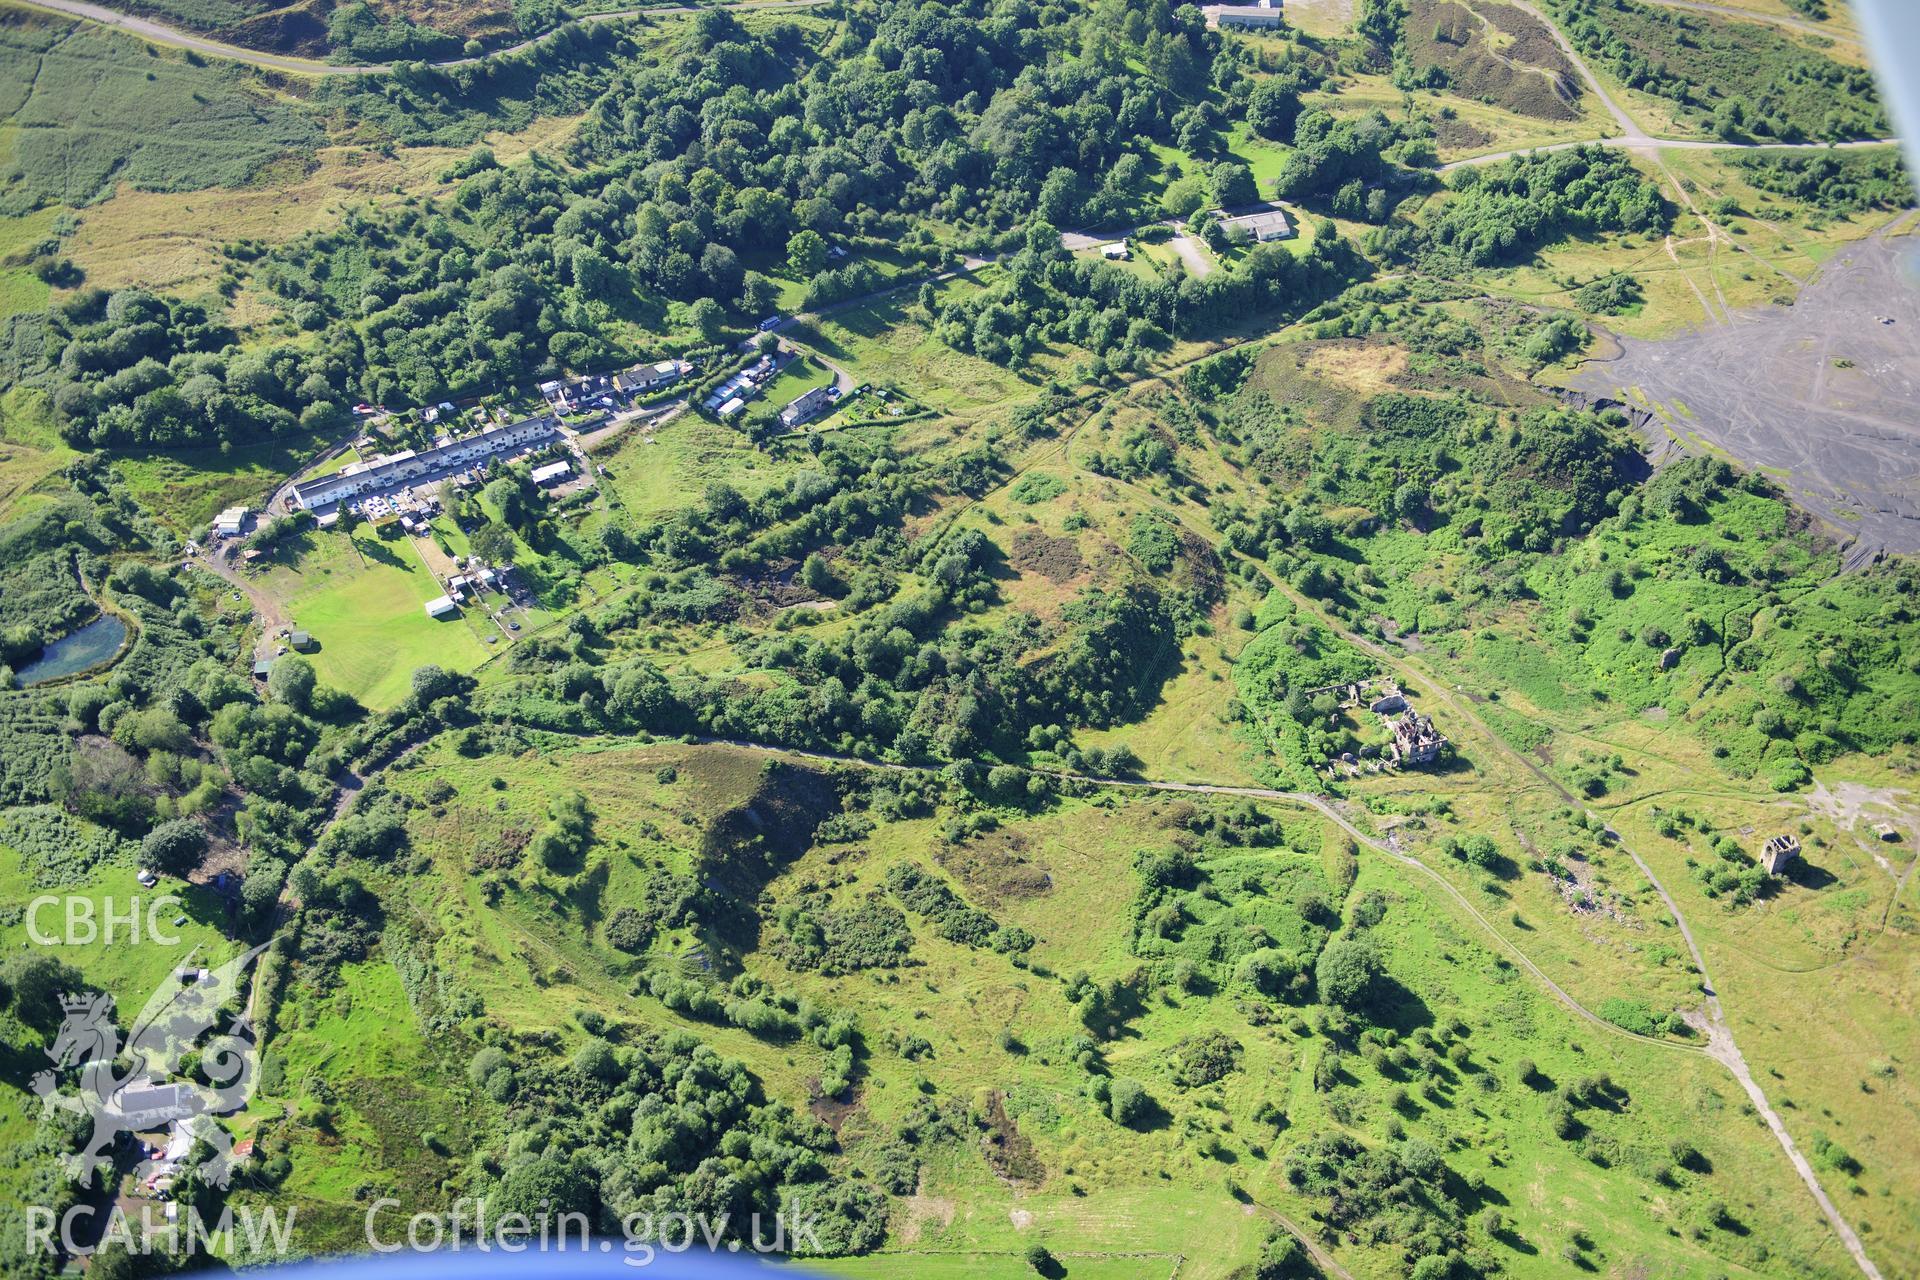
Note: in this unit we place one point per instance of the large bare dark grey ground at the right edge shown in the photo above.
(1821, 394)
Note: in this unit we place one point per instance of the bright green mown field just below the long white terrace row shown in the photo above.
(362, 602)
